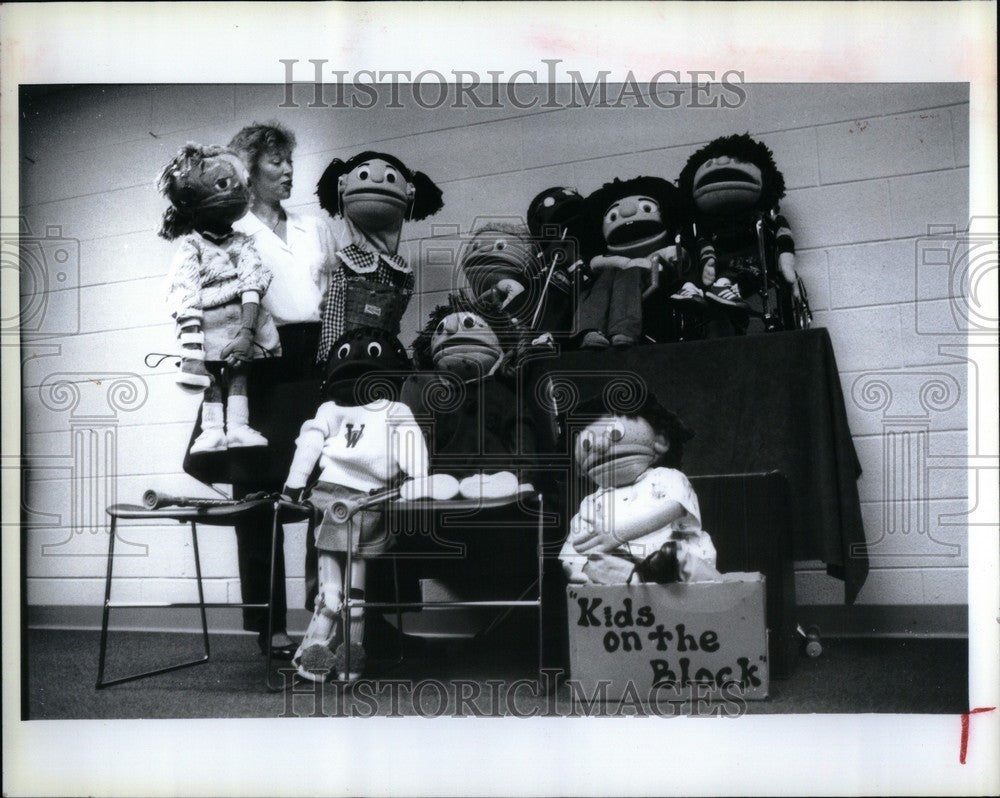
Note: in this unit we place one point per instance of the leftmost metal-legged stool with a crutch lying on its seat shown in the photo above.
(217, 513)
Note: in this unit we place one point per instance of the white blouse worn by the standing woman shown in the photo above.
(300, 266)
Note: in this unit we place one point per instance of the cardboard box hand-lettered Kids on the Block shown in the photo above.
(670, 642)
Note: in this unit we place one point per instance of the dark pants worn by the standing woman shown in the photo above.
(279, 422)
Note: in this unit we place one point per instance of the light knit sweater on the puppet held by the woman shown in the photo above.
(205, 275)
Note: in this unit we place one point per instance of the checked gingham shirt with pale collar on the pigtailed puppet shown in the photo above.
(357, 263)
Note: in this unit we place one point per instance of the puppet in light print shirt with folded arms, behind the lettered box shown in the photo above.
(643, 522)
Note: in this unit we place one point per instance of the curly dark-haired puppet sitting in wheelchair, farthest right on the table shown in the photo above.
(734, 187)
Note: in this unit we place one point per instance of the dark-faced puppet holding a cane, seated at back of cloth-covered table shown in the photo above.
(558, 221)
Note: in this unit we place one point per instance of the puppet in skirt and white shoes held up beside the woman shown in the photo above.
(216, 282)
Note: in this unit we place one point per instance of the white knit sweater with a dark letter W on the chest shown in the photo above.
(364, 447)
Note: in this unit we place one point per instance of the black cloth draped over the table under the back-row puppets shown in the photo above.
(756, 403)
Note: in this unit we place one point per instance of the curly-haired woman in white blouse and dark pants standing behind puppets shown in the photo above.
(299, 251)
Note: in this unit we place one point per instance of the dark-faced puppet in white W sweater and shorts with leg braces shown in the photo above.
(364, 440)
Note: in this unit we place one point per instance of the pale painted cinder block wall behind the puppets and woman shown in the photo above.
(868, 168)
